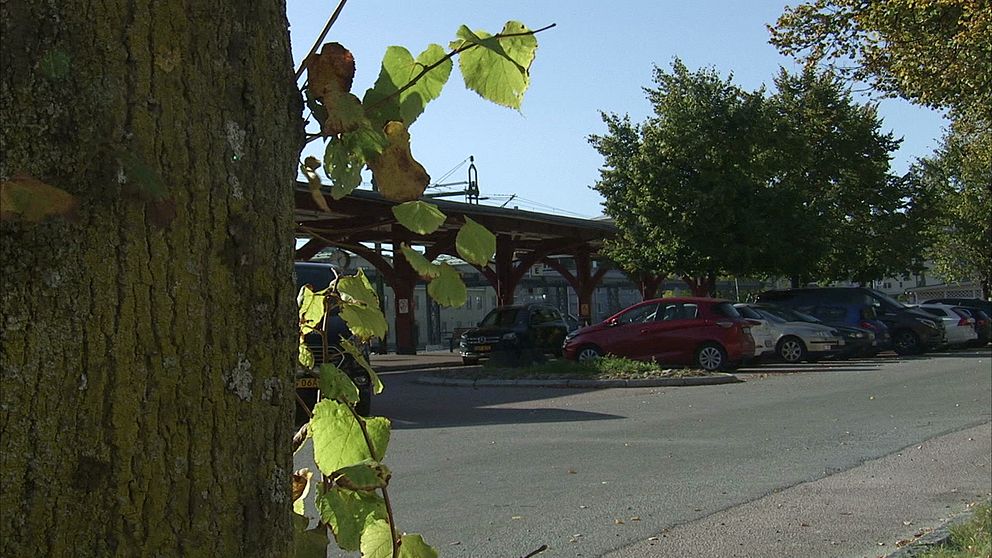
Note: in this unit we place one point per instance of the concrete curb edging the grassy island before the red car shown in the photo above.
(436, 380)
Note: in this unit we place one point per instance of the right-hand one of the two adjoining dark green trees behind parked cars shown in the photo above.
(831, 190)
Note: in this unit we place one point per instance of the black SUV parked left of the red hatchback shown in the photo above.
(524, 331)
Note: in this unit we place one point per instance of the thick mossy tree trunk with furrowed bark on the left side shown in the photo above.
(147, 344)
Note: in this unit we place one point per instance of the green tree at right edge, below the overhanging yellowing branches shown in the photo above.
(958, 179)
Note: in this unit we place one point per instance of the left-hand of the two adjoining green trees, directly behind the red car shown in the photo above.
(682, 186)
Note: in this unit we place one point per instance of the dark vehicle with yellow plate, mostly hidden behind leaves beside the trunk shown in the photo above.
(319, 277)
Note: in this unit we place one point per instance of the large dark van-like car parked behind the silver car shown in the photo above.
(912, 331)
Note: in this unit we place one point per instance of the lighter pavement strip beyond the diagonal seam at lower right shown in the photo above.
(865, 511)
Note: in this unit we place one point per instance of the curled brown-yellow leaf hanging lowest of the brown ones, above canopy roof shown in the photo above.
(397, 174)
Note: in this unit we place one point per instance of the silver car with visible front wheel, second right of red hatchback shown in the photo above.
(800, 337)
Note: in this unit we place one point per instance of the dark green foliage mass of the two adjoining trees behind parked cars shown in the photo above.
(725, 181)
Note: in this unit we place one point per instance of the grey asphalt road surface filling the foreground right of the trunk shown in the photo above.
(814, 462)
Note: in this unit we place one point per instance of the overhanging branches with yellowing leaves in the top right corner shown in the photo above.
(932, 52)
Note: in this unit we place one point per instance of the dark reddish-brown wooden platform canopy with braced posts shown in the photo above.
(523, 238)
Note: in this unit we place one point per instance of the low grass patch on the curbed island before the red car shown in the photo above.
(606, 368)
